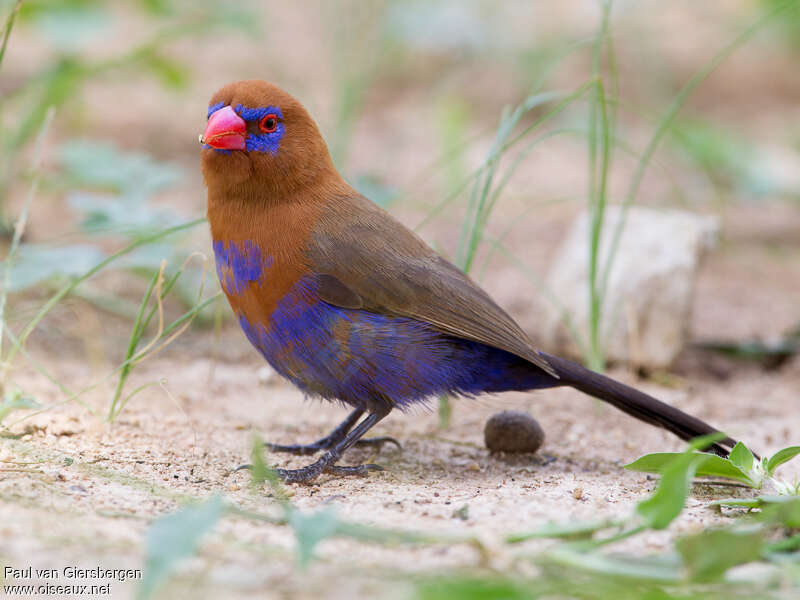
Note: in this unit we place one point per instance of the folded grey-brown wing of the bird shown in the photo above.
(360, 252)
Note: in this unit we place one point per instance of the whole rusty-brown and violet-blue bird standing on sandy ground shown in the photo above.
(350, 305)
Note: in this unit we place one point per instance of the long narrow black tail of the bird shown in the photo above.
(635, 403)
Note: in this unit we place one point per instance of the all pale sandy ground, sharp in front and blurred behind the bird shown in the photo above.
(75, 490)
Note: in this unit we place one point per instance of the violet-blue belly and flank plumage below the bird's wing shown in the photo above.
(355, 355)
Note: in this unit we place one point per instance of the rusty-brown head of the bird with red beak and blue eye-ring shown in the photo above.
(261, 141)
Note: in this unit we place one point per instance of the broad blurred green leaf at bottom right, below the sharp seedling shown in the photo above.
(710, 553)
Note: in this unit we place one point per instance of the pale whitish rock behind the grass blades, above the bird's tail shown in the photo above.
(647, 304)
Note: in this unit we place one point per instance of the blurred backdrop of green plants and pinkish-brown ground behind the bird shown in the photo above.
(484, 125)
